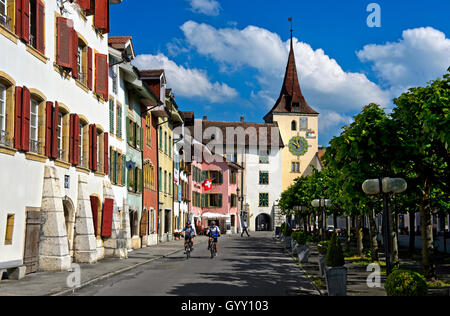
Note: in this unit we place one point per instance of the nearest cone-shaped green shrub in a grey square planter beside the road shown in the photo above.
(336, 273)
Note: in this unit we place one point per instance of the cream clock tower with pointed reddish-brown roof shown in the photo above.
(298, 124)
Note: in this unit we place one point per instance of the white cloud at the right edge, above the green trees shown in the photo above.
(422, 54)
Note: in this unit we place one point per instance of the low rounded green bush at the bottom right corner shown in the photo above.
(406, 283)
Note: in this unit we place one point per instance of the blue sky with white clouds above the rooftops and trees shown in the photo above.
(227, 58)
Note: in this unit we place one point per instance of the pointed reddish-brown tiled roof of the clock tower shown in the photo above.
(291, 98)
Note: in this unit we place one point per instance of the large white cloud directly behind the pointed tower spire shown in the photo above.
(324, 83)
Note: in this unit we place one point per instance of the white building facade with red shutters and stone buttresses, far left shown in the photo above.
(54, 134)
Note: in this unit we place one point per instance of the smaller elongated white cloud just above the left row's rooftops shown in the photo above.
(189, 83)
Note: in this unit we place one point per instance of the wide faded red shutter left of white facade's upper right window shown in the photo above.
(64, 42)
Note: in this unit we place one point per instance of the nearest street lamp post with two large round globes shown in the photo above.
(384, 186)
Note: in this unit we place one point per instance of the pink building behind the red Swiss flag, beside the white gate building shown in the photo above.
(219, 204)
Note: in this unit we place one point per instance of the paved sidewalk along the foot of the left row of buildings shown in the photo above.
(51, 283)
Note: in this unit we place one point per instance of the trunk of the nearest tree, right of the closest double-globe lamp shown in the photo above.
(429, 268)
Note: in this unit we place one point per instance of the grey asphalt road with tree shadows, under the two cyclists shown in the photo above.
(255, 266)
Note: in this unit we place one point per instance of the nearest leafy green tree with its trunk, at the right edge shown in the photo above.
(422, 118)
